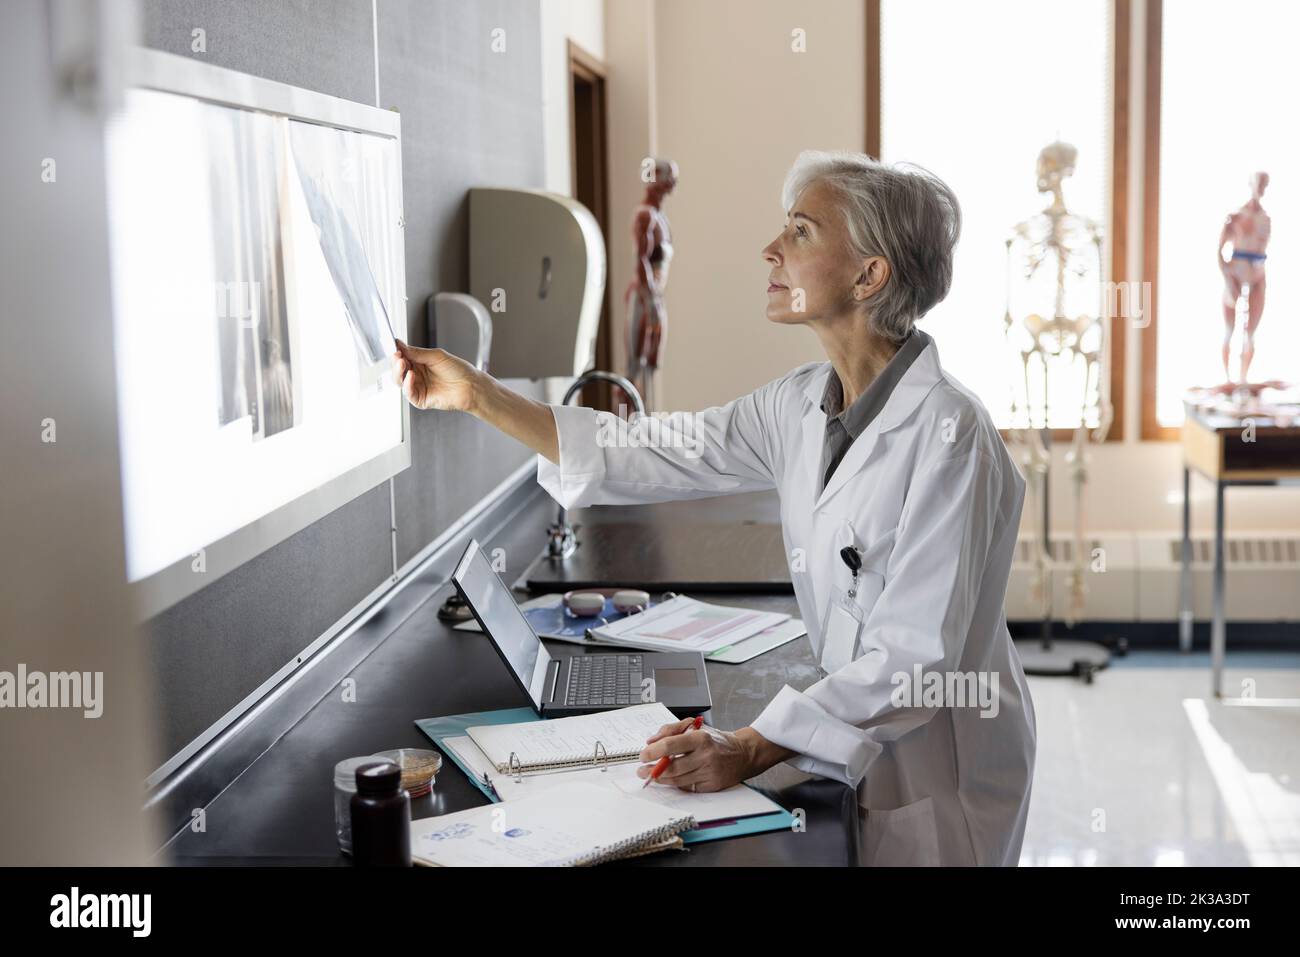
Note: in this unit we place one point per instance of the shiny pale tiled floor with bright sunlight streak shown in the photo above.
(1145, 768)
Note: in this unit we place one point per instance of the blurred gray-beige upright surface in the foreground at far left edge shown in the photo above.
(72, 787)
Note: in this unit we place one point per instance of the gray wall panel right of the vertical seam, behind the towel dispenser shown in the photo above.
(470, 118)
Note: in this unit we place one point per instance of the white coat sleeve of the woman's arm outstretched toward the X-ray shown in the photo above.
(660, 458)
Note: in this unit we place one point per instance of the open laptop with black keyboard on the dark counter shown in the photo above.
(582, 683)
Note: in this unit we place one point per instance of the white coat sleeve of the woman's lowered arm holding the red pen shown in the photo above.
(934, 581)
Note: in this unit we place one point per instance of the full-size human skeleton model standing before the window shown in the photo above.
(1055, 326)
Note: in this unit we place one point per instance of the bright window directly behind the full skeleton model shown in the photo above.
(973, 93)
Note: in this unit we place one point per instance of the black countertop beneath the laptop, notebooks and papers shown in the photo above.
(281, 811)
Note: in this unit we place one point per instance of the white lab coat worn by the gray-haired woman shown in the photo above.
(931, 496)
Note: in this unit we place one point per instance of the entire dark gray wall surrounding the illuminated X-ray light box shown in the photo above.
(469, 118)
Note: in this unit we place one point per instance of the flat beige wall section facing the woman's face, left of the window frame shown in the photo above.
(735, 106)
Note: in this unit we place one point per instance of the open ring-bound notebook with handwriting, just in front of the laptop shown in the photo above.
(584, 741)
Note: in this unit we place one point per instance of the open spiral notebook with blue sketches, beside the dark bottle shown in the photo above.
(573, 826)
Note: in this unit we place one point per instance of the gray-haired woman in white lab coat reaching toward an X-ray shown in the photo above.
(900, 510)
